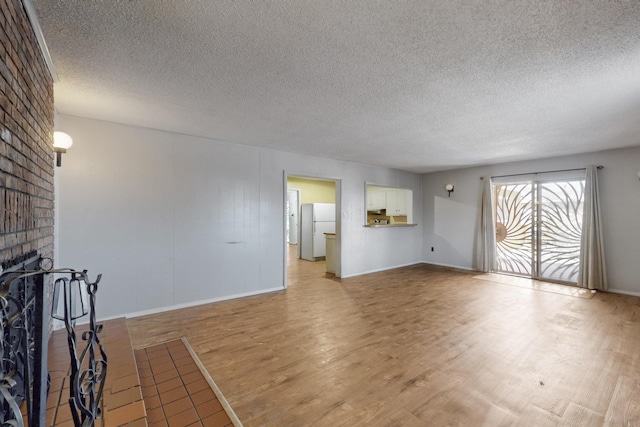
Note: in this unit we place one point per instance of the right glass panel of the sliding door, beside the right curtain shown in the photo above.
(560, 228)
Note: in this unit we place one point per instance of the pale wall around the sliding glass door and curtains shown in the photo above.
(451, 224)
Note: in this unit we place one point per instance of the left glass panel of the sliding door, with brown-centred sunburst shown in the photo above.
(514, 226)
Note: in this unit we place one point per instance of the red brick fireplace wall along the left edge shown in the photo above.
(26, 129)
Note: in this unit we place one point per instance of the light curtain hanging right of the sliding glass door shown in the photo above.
(593, 271)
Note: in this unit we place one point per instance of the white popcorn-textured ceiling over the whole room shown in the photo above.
(414, 85)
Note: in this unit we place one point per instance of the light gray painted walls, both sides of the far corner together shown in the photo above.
(173, 220)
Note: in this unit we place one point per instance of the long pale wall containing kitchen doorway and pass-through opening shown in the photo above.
(173, 220)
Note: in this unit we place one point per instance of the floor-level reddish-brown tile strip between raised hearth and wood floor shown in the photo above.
(175, 390)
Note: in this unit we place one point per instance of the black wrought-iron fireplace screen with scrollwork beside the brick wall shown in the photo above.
(25, 309)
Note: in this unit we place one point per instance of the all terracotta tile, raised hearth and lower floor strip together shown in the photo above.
(160, 385)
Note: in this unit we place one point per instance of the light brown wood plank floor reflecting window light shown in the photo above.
(417, 346)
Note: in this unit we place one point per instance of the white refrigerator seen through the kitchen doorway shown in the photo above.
(315, 220)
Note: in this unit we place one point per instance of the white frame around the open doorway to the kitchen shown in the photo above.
(338, 241)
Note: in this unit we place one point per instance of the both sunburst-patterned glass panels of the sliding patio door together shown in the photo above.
(539, 227)
